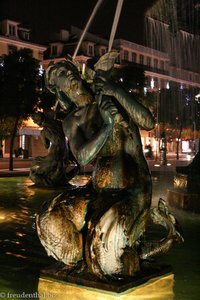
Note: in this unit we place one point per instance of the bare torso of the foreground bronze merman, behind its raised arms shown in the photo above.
(115, 167)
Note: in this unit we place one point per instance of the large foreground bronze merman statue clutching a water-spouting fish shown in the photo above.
(102, 125)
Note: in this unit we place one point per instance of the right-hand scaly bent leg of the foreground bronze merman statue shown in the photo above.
(111, 244)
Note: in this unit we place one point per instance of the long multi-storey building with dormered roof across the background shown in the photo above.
(171, 82)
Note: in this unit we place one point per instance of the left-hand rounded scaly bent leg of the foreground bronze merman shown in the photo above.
(59, 229)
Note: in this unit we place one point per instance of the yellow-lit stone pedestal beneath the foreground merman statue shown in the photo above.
(160, 287)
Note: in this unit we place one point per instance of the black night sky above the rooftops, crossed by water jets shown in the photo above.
(45, 16)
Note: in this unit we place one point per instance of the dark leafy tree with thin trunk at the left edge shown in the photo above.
(19, 79)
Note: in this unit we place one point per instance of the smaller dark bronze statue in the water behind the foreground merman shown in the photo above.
(51, 170)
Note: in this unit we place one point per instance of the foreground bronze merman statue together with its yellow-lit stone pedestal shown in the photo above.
(99, 233)
